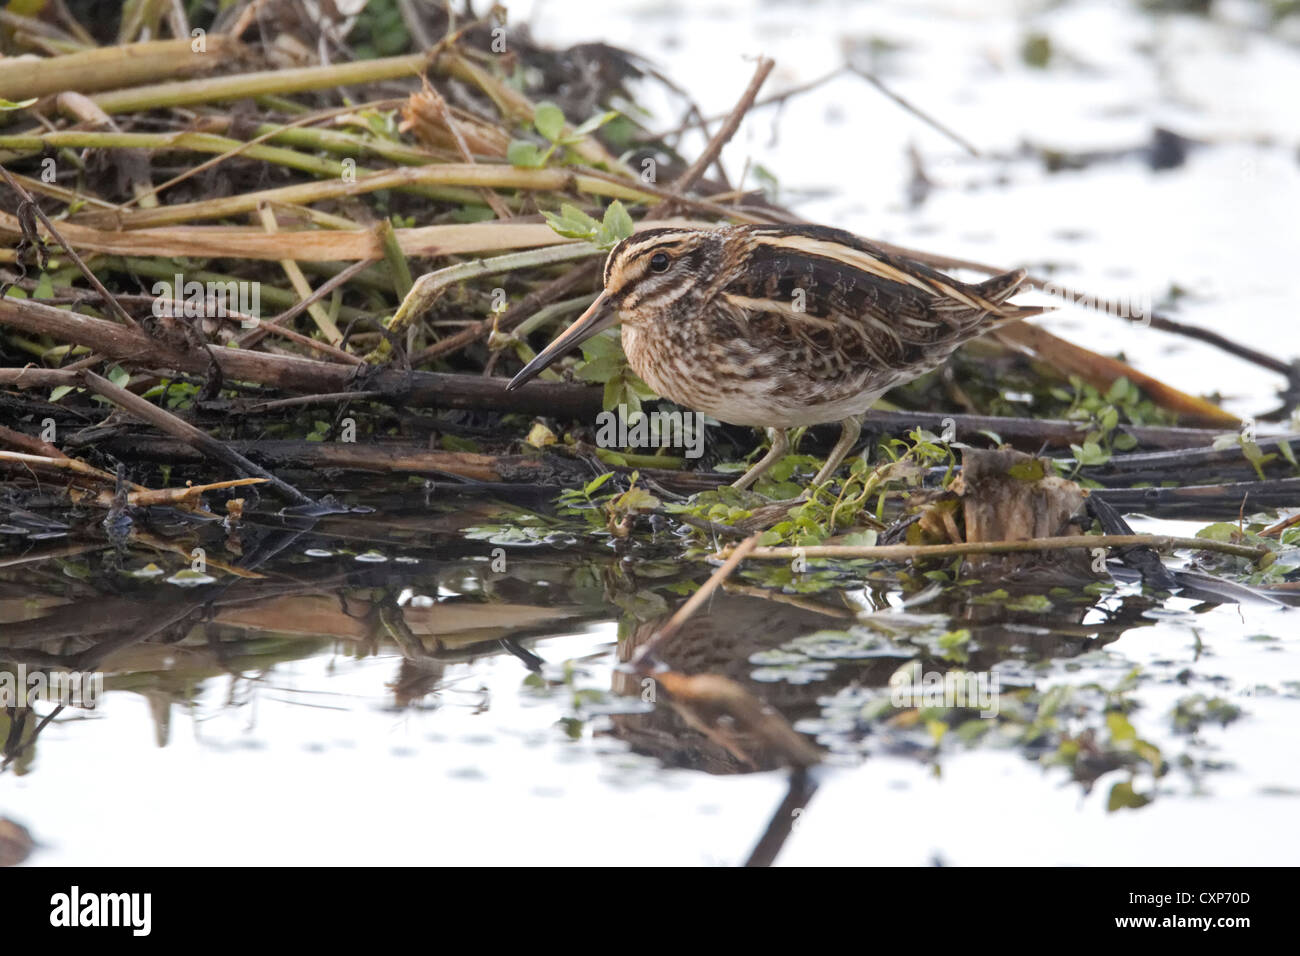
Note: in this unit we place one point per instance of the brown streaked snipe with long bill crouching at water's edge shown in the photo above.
(781, 327)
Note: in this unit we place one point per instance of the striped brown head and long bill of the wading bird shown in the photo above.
(645, 275)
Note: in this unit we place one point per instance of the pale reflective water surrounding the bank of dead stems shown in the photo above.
(250, 737)
